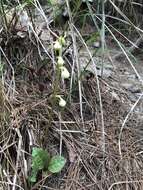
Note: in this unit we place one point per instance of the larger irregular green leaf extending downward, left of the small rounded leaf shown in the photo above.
(40, 160)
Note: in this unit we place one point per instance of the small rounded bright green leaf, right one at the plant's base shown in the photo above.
(56, 164)
